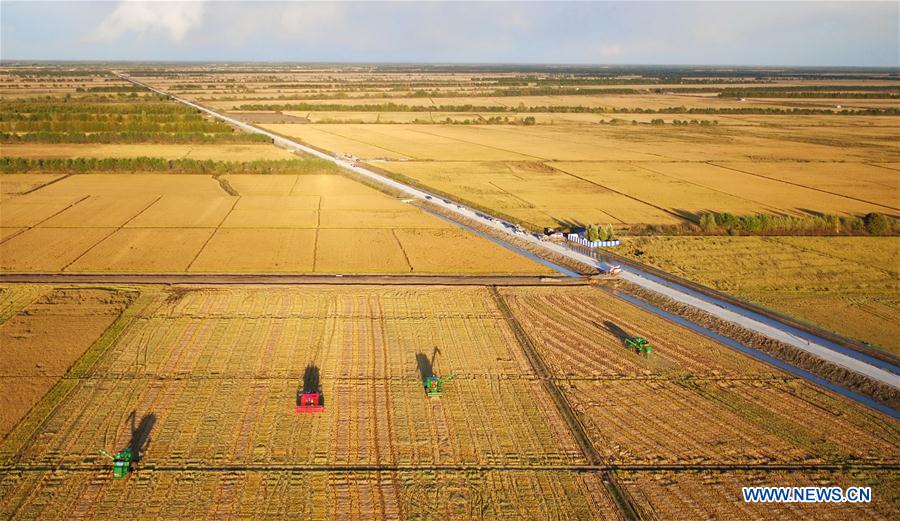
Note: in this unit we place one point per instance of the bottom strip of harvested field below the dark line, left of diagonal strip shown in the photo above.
(315, 496)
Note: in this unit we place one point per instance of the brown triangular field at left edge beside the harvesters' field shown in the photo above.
(44, 338)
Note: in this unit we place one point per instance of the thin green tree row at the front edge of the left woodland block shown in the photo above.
(132, 137)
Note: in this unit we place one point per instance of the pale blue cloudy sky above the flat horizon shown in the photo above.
(635, 32)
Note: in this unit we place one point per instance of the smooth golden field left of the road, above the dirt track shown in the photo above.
(165, 223)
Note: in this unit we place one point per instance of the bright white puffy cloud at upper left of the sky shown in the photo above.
(173, 19)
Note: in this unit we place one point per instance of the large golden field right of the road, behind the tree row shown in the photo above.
(556, 174)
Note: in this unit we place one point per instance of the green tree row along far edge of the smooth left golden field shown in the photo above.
(10, 165)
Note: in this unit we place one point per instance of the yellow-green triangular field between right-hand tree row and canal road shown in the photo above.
(845, 284)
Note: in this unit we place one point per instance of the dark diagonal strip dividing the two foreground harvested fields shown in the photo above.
(622, 500)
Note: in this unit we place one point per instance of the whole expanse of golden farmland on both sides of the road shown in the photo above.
(549, 416)
